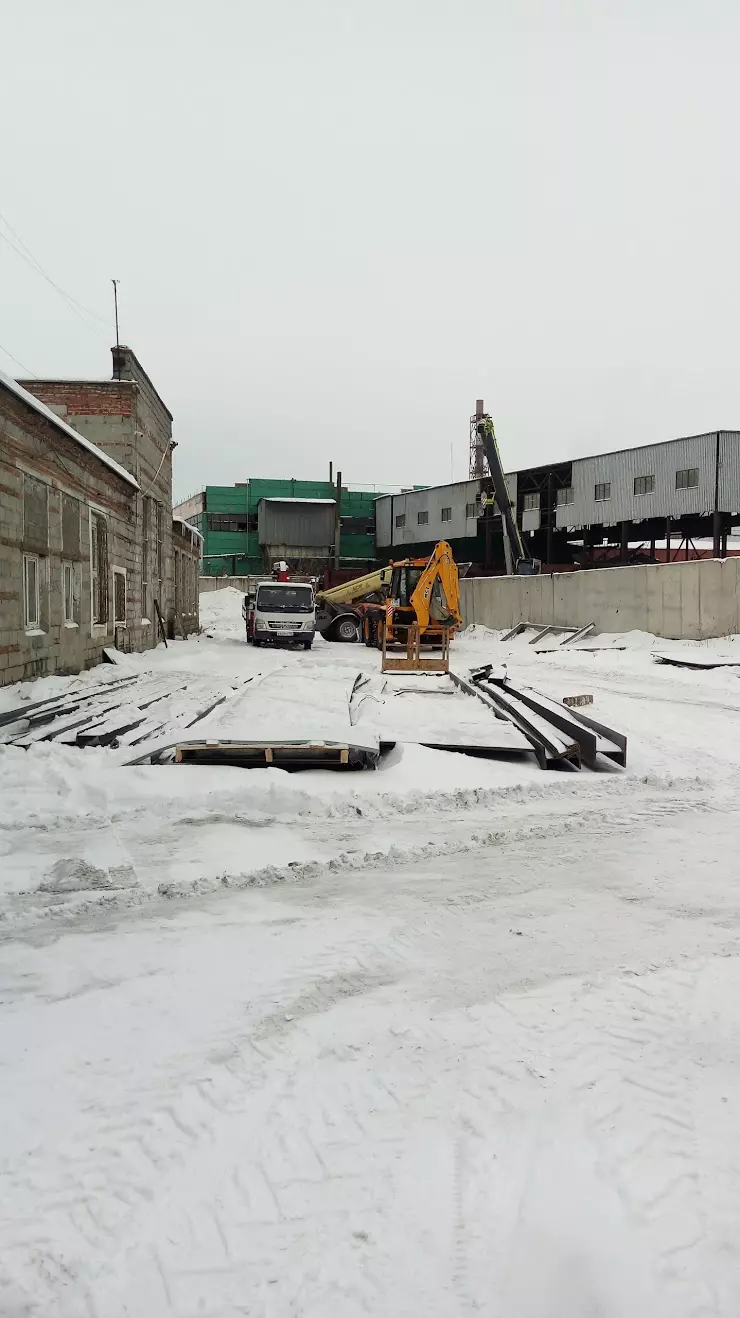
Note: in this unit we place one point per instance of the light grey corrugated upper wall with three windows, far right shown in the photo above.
(662, 462)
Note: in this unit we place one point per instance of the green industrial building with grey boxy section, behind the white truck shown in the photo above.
(249, 525)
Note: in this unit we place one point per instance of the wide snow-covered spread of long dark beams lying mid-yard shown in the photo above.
(334, 718)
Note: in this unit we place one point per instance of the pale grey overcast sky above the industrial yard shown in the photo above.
(338, 223)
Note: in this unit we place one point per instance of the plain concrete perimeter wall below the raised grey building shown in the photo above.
(685, 602)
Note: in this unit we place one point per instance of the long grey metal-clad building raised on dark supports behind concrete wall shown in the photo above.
(609, 508)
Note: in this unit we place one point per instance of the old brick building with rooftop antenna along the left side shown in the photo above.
(88, 544)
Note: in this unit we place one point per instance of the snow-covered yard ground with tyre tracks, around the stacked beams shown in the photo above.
(456, 1037)
